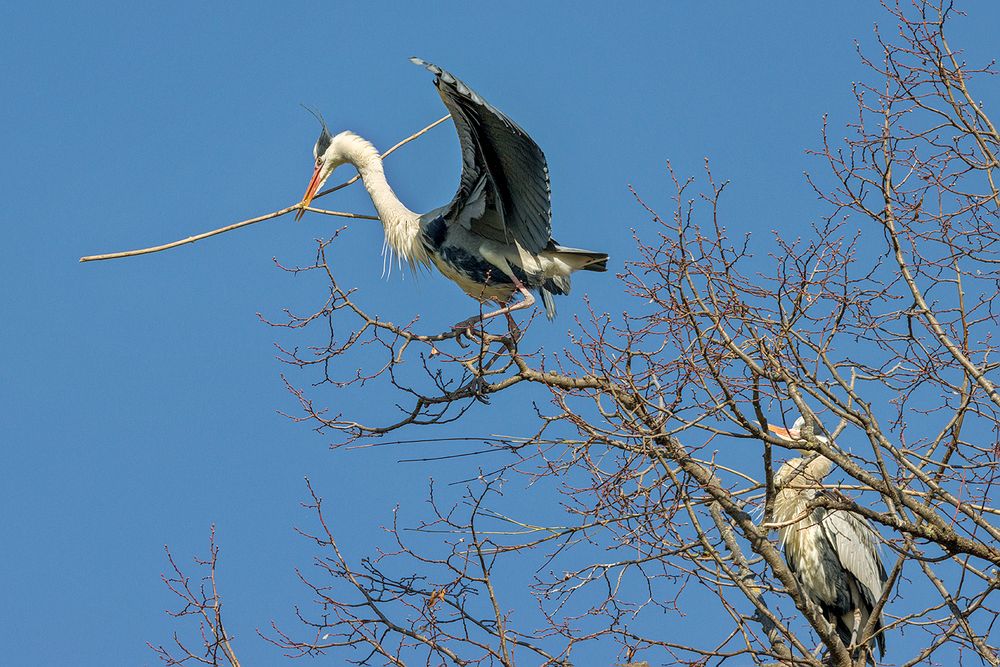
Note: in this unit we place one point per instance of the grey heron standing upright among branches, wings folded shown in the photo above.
(834, 553)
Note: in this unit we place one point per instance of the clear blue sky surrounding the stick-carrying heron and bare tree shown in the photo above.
(139, 397)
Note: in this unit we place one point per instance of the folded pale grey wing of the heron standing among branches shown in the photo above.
(857, 548)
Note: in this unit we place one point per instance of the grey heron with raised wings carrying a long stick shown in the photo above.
(494, 238)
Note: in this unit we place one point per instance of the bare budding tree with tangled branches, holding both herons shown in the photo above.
(878, 320)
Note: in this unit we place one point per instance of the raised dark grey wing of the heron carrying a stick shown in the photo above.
(504, 191)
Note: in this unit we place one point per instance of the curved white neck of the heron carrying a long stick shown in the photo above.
(402, 226)
